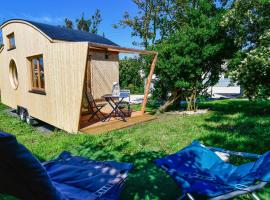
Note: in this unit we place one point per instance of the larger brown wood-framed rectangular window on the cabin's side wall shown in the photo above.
(37, 74)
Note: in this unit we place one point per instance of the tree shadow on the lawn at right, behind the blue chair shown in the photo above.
(240, 126)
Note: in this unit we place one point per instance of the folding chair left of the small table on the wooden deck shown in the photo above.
(93, 107)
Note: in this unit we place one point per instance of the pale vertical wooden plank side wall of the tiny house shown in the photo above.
(64, 67)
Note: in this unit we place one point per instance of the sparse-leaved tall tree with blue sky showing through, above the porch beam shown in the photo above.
(157, 19)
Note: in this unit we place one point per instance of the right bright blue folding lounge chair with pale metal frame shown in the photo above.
(200, 172)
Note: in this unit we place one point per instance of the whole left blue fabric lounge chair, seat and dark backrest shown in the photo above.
(64, 178)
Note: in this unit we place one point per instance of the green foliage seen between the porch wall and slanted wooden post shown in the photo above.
(131, 74)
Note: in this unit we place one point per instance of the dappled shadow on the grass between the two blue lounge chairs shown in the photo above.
(145, 180)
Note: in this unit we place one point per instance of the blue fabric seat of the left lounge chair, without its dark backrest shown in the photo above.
(80, 178)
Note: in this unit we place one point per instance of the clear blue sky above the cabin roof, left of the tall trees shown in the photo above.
(54, 12)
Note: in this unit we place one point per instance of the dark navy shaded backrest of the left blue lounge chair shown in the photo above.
(21, 174)
